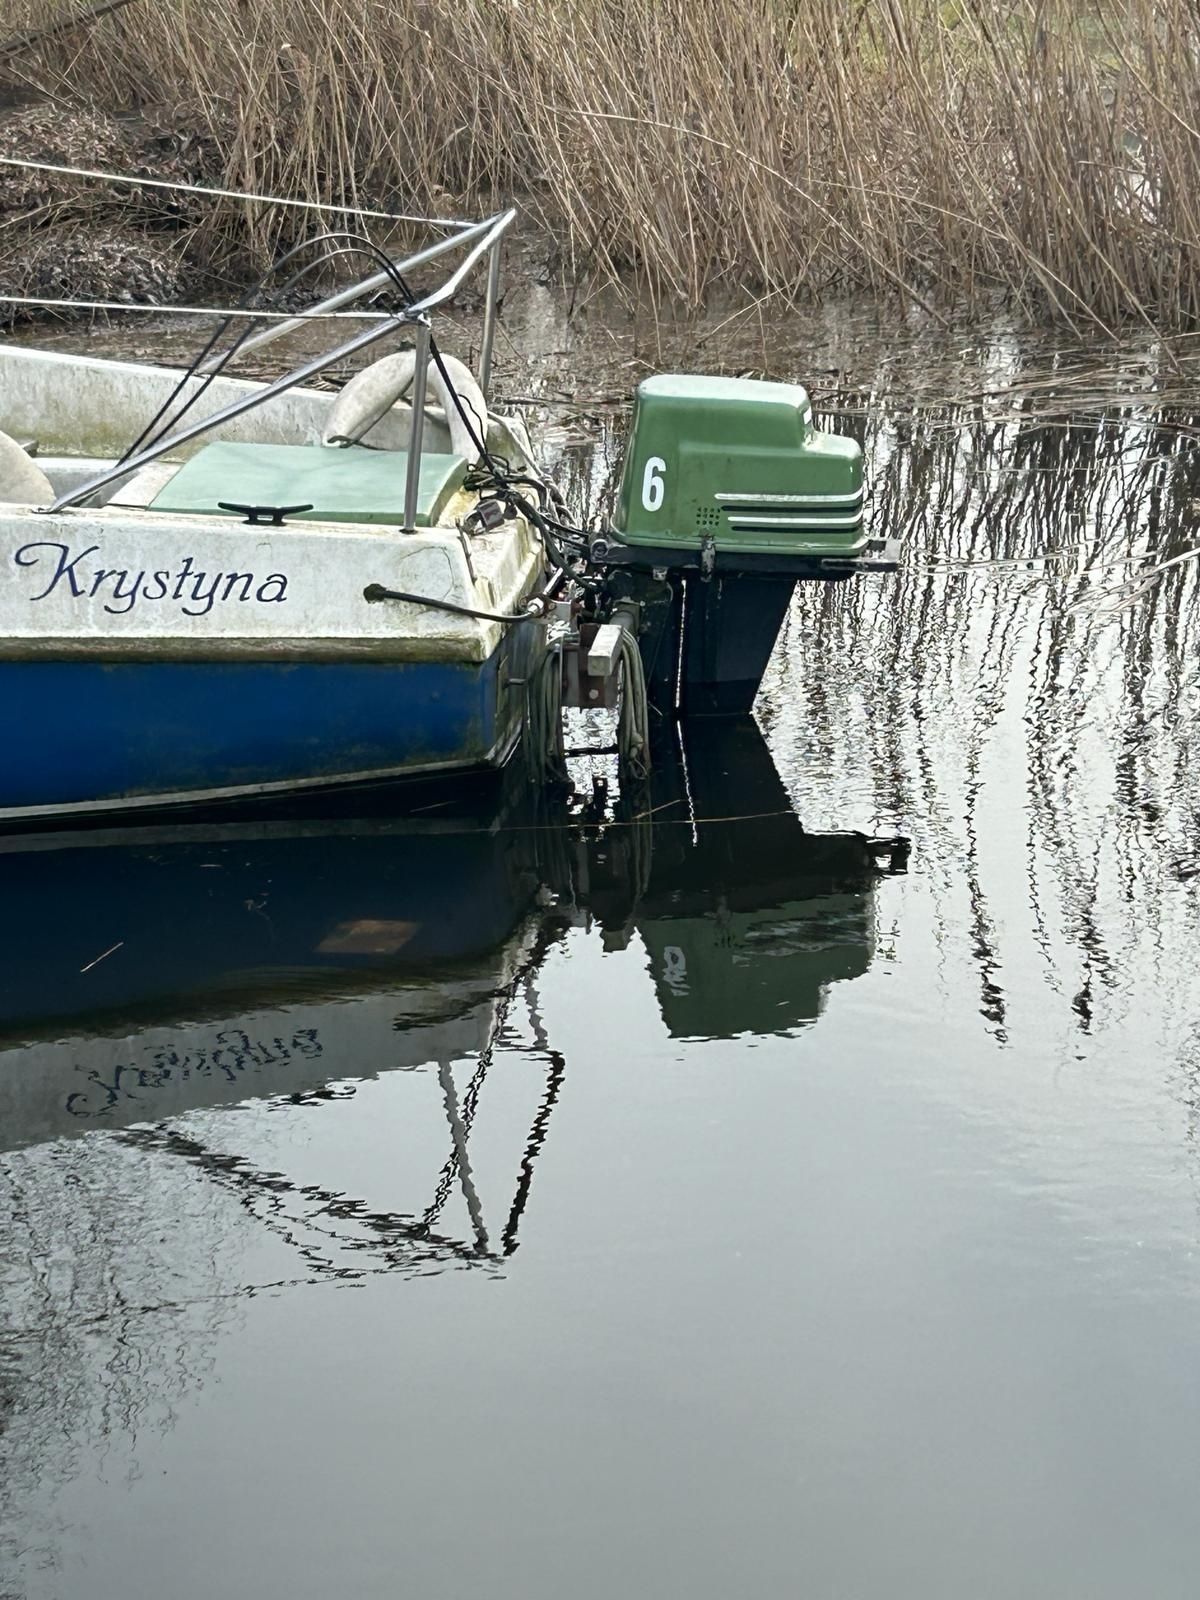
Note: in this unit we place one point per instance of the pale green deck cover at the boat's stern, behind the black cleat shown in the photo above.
(348, 484)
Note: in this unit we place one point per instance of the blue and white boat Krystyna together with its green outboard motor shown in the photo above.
(228, 591)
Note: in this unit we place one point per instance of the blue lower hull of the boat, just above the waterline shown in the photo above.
(81, 737)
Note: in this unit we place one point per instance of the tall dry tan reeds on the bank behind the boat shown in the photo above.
(1047, 151)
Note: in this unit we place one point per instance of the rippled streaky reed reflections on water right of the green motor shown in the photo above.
(1023, 697)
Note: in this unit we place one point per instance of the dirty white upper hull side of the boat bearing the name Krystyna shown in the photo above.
(127, 582)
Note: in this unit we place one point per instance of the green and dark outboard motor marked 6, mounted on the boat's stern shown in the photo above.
(729, 497)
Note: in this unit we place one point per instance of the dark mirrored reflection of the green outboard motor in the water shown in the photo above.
(746, 918)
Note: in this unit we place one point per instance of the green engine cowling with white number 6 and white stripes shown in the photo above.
(735, 466)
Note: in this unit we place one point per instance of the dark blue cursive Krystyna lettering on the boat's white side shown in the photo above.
(194, 591)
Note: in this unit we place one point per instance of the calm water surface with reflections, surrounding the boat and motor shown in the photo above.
(798, 1202)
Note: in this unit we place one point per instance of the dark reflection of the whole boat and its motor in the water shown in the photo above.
(164, 972)
